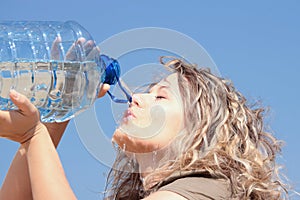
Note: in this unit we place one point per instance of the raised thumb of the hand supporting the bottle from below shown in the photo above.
(22, 102)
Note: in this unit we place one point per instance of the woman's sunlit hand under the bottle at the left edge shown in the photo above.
(22, 124)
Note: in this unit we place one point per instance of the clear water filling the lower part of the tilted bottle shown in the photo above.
(58, 89)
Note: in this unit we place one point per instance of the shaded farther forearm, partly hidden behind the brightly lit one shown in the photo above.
(17, 182)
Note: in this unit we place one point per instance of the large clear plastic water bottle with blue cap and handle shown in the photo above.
(57, 65)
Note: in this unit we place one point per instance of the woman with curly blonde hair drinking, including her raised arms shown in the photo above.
(190, 136)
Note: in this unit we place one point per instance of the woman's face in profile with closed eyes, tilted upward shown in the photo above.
(153, 119)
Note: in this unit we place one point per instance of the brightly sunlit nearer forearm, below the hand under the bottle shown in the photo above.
(47, 177)
